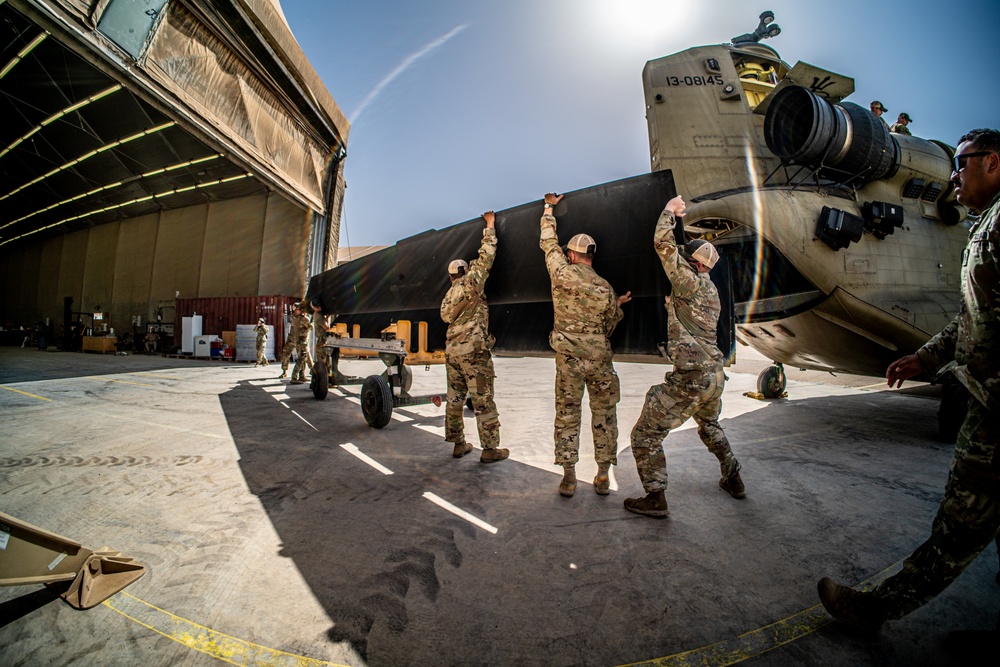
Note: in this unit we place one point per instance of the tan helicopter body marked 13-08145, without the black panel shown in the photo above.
(844, 239)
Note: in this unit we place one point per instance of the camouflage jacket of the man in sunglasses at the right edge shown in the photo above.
(971, 342)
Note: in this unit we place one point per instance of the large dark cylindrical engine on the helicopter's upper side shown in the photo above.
(844, 142)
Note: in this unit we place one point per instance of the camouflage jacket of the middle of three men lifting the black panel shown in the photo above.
(585, 305)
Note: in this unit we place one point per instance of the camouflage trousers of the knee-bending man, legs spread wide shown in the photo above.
(683, 394)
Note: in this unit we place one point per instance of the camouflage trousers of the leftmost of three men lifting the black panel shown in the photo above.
(471, 374)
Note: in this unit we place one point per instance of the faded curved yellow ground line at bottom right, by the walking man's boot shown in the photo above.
(757, 642)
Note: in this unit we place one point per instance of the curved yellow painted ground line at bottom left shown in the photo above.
(208, 641)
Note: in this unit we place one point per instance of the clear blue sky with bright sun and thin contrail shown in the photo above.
(459, 106)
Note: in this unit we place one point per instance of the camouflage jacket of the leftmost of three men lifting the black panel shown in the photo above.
(464, 307)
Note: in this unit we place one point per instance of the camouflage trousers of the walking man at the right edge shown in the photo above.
(967, 521)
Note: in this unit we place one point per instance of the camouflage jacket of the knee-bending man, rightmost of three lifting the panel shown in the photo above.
(694, 307)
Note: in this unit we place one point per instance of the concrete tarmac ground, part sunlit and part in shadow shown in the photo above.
(280, 529)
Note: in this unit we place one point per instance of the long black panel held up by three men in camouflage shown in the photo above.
(408, 280)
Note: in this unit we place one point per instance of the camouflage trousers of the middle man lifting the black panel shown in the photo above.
(601, 382)
